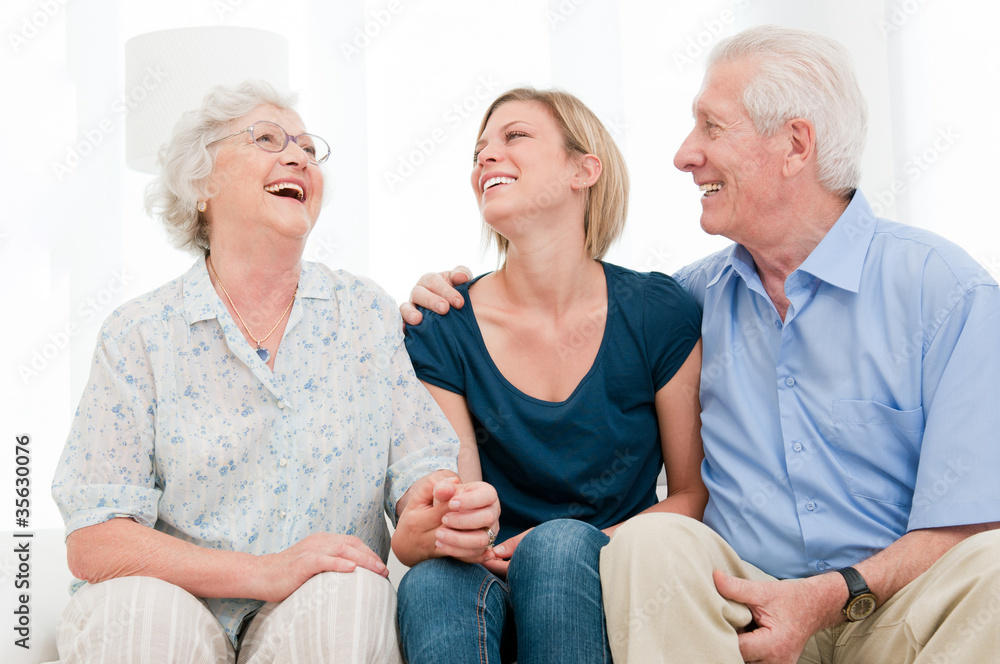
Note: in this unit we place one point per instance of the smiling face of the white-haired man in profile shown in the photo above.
(738, 170)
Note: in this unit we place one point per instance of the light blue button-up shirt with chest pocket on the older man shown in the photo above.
(871, 410)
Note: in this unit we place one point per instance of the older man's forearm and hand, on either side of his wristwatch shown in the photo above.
(788, 612)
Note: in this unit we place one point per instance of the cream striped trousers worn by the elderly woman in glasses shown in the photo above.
(134, 620)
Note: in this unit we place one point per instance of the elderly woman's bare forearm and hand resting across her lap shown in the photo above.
(121, 547)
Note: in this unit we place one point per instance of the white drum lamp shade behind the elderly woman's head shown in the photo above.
(169, 71)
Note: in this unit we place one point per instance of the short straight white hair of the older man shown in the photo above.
(803, 74)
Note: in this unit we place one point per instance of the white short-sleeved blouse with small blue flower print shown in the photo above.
(183, 428)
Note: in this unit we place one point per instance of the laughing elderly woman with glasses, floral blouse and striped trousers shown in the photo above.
(245, 425)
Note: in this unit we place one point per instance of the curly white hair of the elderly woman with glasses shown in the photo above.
(186, 163)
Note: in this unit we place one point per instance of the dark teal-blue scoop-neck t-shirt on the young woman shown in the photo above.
(596, 455)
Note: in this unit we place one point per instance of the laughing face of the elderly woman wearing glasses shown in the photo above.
(262, 193)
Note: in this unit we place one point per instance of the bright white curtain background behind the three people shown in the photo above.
(398, 88)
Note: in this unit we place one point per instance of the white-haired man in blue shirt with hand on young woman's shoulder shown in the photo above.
(849, 386)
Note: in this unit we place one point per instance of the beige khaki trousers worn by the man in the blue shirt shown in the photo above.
(662, 604)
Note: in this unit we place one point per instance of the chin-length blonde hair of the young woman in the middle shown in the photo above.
(583, 133)
